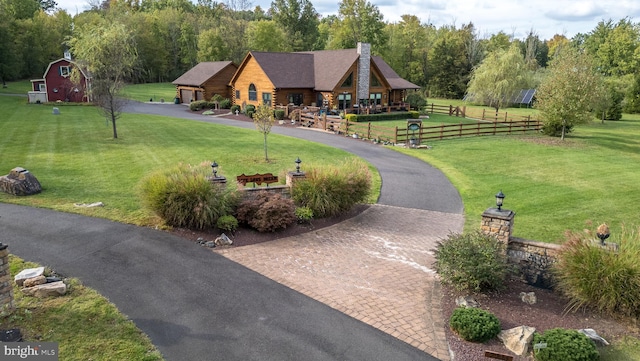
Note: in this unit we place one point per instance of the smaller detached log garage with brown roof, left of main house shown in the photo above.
(204, 81)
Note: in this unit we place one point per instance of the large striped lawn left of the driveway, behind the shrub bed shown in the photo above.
(77, 161)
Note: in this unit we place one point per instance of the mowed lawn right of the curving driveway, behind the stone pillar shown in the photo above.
(551, 185)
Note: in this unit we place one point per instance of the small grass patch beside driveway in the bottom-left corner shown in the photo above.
(85, 325)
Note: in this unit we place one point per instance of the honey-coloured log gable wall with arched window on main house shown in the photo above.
(251, 73)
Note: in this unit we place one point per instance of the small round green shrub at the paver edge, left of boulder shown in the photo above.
(474, 324)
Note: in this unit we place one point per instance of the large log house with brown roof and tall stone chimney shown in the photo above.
(331, 79)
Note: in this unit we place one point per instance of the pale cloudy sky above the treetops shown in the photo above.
(514, 17)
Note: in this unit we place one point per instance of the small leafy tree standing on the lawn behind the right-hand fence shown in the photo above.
(568, 94)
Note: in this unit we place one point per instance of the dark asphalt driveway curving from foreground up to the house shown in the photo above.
(198, 305)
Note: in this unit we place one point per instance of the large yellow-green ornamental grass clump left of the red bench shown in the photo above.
(184, 197)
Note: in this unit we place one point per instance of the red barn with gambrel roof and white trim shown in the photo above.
(56, 84)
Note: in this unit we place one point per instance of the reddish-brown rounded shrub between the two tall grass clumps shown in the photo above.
(267, 212)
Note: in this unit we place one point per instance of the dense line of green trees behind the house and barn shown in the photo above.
(171, 36)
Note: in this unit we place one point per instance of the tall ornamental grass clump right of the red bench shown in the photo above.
(334, 189)
